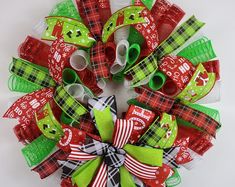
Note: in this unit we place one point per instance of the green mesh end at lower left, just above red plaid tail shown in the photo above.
(38, 150)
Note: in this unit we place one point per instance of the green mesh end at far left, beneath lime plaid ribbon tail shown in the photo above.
(17, 84)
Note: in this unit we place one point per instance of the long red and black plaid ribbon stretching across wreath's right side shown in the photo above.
(162, 103)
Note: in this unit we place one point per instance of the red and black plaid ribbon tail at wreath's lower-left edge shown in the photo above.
(50, 165)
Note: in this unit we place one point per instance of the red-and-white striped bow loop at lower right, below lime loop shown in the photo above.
(140, 170)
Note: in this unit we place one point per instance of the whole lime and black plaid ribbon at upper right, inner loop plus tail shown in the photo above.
(148, 66)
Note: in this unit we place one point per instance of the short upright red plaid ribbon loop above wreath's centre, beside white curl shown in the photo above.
(98, 60)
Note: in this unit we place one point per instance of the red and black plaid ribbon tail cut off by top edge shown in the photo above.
(89, 12)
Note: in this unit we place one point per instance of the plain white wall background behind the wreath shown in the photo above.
(17, 17)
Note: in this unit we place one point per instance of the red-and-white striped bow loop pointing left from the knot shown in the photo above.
(77, 154)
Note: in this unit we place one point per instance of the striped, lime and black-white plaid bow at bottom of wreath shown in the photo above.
(119, 158)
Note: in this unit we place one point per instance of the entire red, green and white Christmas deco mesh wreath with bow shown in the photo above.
(63, 121)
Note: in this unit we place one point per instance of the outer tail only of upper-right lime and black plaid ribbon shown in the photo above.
(178, 37)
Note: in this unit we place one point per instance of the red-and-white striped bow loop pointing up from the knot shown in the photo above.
(122, 133)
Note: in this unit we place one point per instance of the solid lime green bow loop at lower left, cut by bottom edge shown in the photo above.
(84, 174)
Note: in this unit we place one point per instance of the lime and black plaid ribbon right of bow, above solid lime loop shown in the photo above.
(153, 135)
